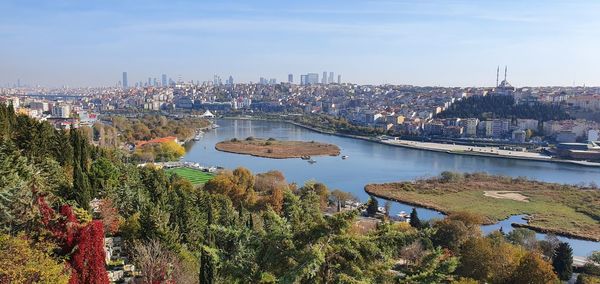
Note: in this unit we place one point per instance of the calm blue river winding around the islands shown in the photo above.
(371, 162)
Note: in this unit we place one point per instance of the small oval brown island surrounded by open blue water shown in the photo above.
(276, 149)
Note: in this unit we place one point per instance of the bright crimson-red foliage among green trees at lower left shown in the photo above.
(85, 243)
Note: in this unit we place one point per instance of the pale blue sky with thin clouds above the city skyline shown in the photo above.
(425, 43)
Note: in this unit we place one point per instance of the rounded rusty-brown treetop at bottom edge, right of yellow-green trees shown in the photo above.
(534, 270)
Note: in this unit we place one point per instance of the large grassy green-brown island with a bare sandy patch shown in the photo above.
(551, 208)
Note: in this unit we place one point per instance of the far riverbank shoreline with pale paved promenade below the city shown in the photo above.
(441, 148)
